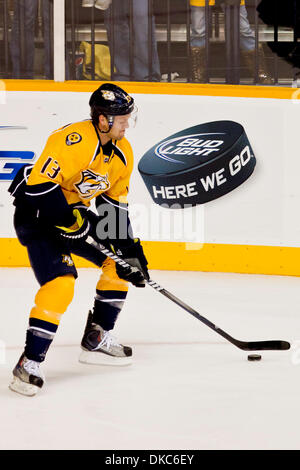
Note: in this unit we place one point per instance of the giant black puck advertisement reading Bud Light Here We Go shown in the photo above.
(198, 164)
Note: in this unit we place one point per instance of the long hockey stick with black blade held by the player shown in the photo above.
(272, 345)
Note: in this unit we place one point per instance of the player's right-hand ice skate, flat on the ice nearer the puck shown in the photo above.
(100, 347)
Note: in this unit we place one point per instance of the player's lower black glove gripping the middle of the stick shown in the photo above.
(133, 254)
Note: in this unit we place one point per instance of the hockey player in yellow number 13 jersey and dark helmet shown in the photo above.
(81, 161)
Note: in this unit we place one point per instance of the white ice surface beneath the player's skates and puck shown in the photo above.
(187, 389)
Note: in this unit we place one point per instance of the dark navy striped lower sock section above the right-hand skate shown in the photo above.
(107, 307)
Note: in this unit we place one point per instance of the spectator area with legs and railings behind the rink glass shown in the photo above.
(248, 42)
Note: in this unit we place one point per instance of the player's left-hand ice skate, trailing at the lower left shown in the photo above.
(27, 377)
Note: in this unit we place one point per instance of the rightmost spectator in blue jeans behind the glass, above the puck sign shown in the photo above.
(247, 41)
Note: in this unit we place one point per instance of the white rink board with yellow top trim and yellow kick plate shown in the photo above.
(253, 229)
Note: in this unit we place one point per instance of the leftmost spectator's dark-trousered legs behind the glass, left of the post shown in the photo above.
(24, 19)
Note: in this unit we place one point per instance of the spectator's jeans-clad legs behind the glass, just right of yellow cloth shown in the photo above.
(117, 23)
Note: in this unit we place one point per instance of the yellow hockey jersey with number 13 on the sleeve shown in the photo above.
(74, 159)
